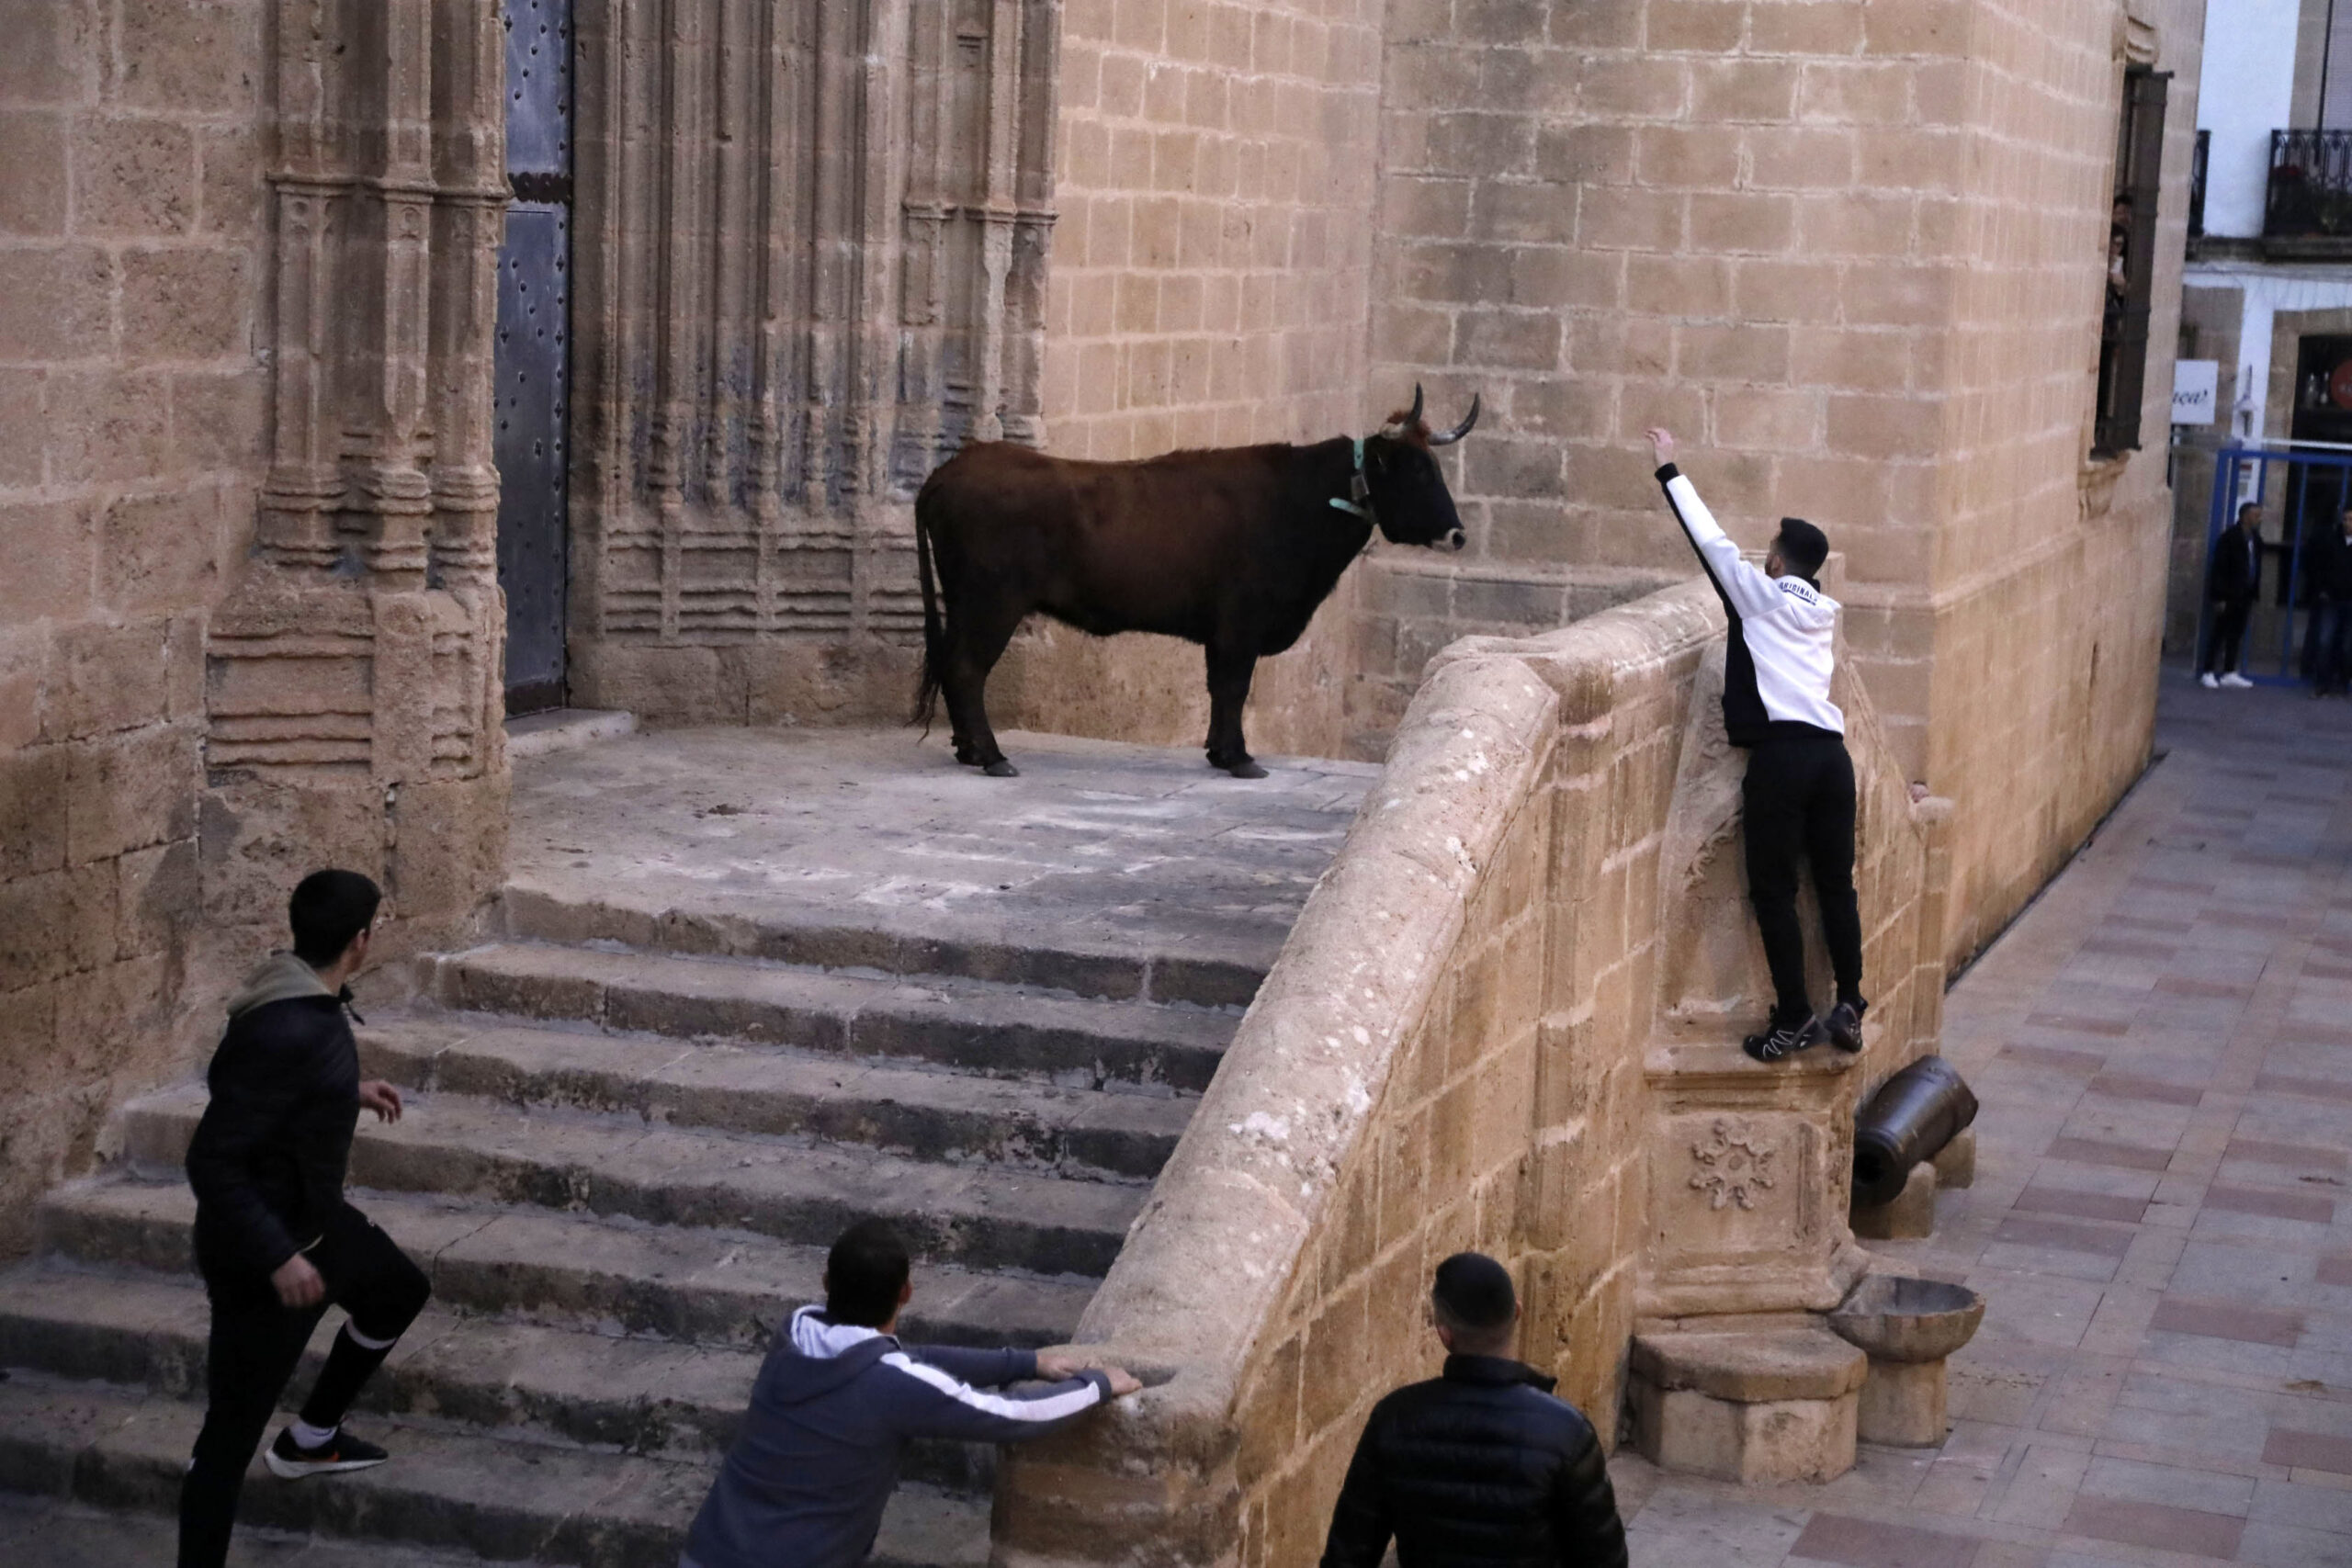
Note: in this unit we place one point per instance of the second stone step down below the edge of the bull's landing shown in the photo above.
(775, 1090)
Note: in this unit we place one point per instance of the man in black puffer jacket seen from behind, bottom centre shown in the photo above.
(1483, 1466)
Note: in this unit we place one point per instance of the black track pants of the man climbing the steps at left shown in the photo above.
(255, 1348)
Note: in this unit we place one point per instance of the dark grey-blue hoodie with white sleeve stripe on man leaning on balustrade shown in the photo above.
(829, 1414)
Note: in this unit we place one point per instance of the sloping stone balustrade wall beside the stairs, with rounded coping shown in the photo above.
(1457, 1050)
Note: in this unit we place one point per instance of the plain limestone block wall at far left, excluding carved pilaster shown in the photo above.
(133, 262)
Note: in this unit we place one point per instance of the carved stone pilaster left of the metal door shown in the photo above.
(356, 709)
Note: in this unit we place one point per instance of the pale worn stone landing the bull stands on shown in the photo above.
(1100, 850)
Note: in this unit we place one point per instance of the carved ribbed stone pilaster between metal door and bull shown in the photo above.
(810, 253)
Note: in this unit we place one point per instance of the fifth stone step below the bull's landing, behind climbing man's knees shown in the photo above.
(526, 1381)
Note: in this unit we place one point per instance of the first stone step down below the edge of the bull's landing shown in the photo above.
(958, 1024)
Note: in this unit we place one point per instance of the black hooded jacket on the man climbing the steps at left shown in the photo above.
(269, 1155)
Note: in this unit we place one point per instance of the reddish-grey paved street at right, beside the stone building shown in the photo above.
(2163, 1217)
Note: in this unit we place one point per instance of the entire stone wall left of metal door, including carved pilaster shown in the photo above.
(248, 603)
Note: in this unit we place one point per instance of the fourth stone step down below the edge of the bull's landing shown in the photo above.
(704, 1287)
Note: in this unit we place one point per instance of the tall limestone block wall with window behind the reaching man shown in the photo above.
(1852, 255)
